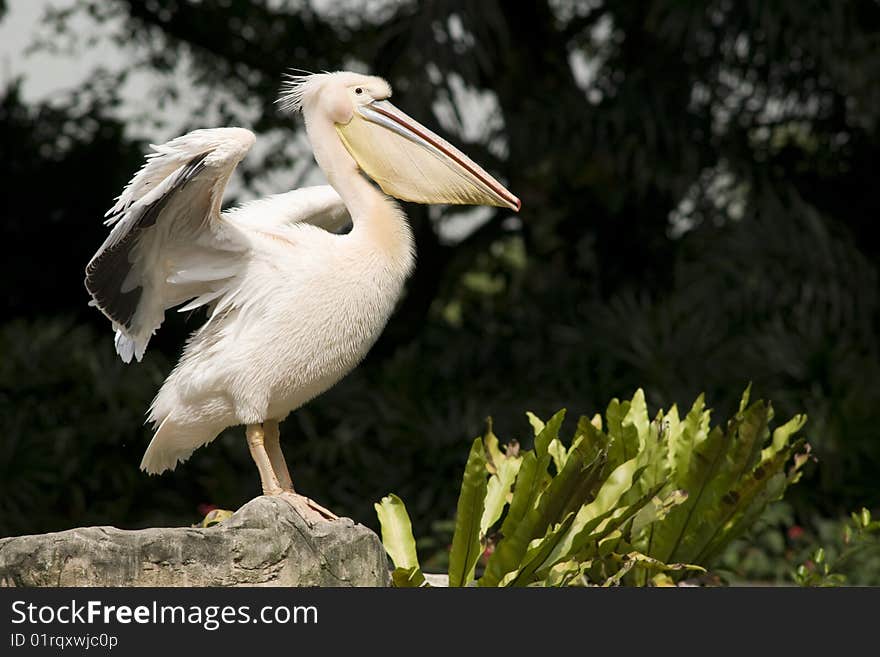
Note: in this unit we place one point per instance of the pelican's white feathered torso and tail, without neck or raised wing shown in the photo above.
(316, 303)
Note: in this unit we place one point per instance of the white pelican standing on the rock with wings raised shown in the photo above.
(293, 301)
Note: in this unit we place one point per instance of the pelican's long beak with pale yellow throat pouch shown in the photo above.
(411, 163)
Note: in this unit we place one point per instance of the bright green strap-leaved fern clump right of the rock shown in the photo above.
(620, 502)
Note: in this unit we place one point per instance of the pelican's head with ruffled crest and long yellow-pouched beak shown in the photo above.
(406, 160)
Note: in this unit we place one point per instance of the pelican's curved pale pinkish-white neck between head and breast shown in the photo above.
(374, 216)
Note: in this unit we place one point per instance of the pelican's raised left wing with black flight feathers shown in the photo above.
(168, 243)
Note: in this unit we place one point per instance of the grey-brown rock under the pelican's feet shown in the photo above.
(265, 543)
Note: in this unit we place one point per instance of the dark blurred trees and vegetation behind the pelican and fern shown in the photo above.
(698, 213)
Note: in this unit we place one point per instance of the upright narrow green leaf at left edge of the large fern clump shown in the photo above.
(466, 545)
